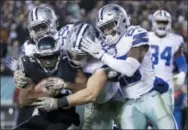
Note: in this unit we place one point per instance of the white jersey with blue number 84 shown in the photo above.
(163, 50)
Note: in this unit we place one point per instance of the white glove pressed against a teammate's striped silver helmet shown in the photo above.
(94, 49)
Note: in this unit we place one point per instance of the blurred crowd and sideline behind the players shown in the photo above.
(13, 33)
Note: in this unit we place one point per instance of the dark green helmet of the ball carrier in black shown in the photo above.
(48, 53)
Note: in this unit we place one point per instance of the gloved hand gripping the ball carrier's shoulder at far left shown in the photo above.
(21, 80)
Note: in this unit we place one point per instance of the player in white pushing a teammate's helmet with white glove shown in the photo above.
(130, 57)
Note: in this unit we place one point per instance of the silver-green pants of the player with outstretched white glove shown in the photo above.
(136, 112)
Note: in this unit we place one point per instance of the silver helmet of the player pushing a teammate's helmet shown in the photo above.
(112, 20)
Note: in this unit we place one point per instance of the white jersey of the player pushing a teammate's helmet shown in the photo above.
(143, 79)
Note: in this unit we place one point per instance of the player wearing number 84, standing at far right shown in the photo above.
(166, 49)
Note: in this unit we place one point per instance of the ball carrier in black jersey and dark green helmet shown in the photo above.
(46, 62)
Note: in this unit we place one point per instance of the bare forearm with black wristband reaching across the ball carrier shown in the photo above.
(94, 85)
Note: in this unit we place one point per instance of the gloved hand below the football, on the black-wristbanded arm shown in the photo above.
(46, 103)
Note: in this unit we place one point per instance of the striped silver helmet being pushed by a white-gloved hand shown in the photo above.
(76, 56)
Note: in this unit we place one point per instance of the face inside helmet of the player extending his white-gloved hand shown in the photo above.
(109, 28)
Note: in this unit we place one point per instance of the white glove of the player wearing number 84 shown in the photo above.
(180, 78)
